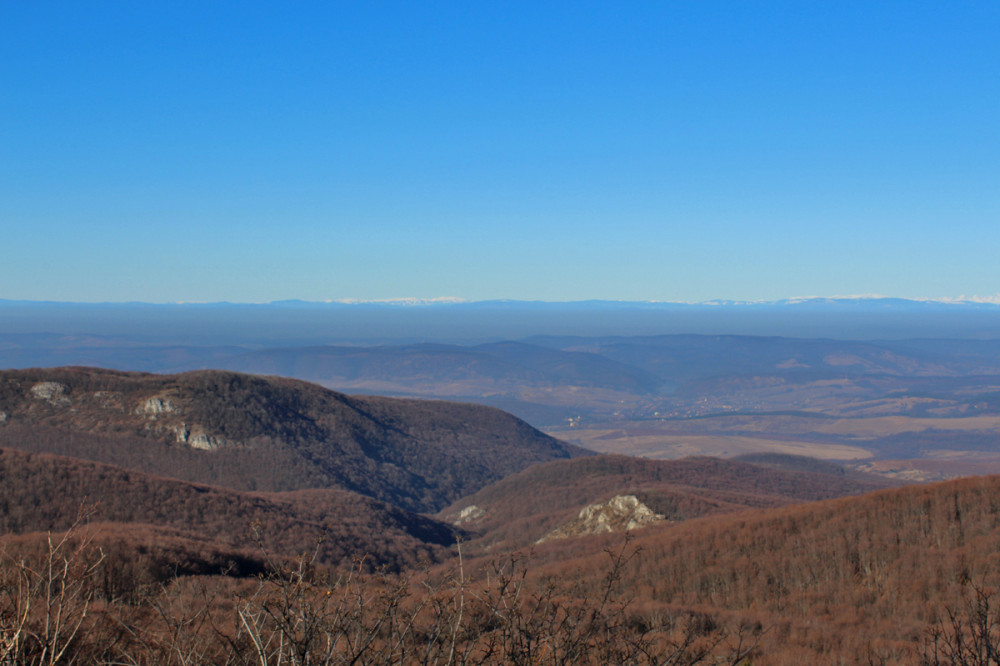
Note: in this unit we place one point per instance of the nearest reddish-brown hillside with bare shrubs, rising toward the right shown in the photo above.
(902, 576)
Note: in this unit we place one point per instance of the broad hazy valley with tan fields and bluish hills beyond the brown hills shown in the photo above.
(921, 409)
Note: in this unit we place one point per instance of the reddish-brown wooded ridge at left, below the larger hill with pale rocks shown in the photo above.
(41, 493)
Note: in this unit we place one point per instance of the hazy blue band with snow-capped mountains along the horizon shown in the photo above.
(301, 323)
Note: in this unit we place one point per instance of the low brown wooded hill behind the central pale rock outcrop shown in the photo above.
(524, 507)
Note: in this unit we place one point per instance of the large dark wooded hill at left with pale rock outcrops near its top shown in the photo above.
(254, 433)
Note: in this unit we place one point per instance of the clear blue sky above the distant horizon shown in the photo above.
(244, 151)
